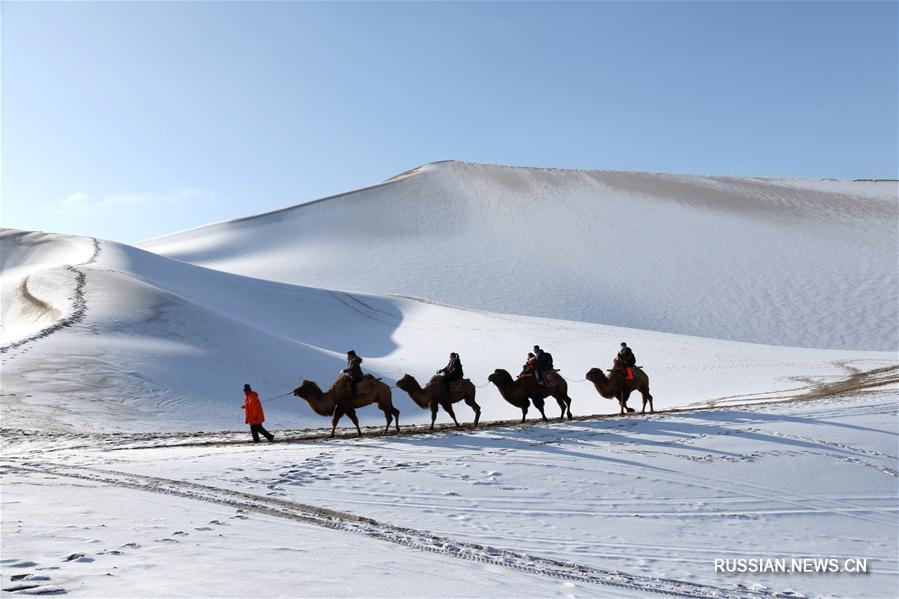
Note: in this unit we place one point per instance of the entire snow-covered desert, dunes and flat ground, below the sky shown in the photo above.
(764, 312)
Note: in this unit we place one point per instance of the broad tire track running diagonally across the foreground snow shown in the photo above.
(416, 539)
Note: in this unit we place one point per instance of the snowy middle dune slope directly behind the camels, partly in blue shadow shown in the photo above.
(148, 343)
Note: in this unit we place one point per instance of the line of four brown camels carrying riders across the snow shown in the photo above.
(537, 380)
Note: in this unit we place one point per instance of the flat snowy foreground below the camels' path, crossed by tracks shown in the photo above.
(625, 507)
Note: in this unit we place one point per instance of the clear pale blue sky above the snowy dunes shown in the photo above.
(130, 120)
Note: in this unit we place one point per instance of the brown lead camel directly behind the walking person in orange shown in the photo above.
(337, 401)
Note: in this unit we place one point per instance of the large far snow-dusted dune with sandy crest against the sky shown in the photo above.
(791, 262)
